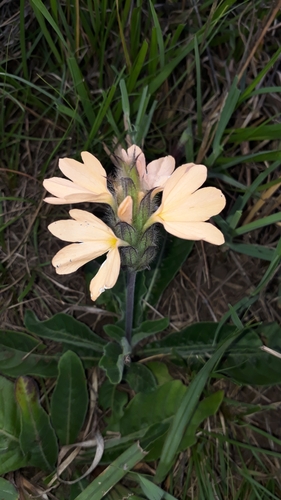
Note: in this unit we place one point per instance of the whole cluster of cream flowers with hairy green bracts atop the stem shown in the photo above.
(129, 239)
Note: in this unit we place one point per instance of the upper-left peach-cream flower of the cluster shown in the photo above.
(88, 182)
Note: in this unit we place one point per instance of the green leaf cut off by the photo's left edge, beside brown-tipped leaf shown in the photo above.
(11, 456)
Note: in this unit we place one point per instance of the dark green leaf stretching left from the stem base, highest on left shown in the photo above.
(65, 329)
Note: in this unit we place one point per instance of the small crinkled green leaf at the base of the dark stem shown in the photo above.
(113, 360)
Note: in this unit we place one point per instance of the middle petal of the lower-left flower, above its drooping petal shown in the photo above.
(71, 257)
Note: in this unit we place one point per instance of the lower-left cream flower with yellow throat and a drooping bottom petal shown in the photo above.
(95, 238)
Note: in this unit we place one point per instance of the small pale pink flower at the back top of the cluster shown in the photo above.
(153, 175)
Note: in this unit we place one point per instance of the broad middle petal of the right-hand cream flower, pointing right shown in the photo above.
(199, 206)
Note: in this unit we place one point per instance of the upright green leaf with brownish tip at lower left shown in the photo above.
(37, 437)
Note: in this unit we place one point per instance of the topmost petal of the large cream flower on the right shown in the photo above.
(184, 181)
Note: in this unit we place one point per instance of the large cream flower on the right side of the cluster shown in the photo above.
(185, 207)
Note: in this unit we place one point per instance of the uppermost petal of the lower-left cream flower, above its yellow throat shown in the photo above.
(85, 227)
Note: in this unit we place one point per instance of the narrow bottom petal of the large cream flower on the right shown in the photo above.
(195, 231)
